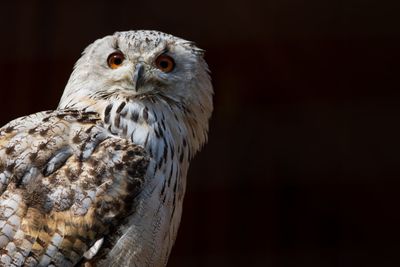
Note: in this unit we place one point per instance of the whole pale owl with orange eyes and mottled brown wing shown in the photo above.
(100, 181)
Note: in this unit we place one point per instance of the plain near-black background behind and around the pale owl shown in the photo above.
(302, 164)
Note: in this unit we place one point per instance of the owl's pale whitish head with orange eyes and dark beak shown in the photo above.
(142, 65)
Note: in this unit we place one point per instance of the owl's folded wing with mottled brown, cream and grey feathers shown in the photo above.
(65, 182)
